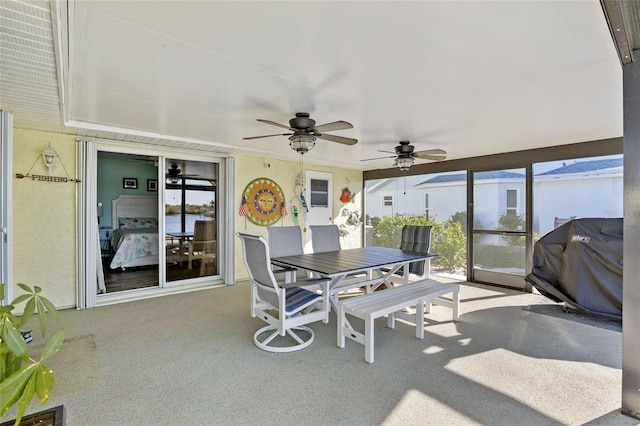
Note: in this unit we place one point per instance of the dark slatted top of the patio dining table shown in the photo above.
(350, 260)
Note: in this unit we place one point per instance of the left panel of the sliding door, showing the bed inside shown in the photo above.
(127, 214)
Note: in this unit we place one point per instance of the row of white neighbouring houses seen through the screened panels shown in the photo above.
(591, 188)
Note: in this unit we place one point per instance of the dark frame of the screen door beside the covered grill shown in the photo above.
(493, 277)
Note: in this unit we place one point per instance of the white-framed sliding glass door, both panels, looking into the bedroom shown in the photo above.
(152, 222)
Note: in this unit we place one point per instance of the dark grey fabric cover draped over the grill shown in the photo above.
(580, 263)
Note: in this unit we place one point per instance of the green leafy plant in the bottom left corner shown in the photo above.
(22, 377)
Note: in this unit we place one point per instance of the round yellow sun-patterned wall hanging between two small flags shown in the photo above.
(264, 201)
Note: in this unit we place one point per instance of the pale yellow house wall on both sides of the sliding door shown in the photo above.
(44, 213)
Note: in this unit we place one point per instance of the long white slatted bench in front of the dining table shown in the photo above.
(389, 302)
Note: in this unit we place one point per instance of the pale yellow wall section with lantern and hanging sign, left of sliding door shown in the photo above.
(44, 217)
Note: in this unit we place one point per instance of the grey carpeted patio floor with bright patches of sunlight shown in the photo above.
(189, 359)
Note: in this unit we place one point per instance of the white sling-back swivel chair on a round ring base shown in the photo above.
(285, 307)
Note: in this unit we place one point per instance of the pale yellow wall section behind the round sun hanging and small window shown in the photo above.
(284, 173)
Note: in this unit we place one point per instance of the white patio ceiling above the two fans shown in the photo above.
(470, 77)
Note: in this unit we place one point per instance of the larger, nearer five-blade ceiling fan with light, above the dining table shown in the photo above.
(305, 132)
